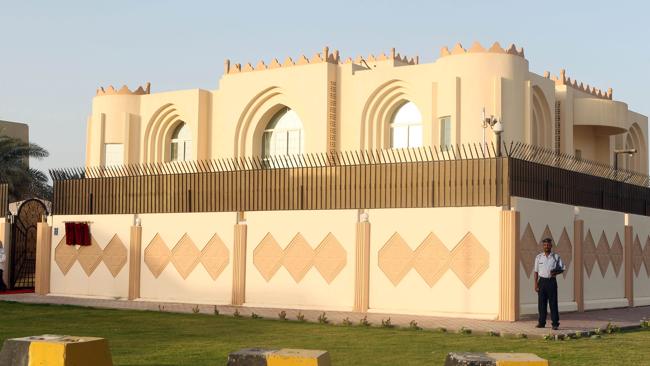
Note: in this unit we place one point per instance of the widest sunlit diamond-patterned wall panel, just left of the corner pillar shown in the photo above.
(435, 261)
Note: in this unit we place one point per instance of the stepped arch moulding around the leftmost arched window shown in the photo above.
(158, 132)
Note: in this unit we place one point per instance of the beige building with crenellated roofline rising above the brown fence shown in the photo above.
(326, 103)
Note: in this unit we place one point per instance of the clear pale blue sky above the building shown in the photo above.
(55, 54)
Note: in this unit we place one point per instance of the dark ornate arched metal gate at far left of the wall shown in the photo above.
(22, 266)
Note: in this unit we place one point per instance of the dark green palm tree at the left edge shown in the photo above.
(24, 182)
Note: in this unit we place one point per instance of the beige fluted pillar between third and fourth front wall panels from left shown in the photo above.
(362, 268)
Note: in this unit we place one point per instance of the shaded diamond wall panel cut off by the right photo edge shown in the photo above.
(641, 259)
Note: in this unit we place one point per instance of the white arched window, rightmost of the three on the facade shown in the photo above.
(406, 127)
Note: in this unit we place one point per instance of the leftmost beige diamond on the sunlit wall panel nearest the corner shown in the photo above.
(395, 259)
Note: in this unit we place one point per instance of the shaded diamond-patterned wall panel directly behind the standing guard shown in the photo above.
(538, 220)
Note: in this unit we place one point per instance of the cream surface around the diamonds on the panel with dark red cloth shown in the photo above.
(101, 282)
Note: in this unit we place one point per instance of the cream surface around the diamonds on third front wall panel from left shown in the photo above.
(312, 291)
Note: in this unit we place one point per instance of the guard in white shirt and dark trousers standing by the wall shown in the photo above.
(547, 266)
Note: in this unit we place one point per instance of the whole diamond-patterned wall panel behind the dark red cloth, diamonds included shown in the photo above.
(100, 269)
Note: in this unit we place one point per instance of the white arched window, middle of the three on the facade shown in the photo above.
(283, 134)
